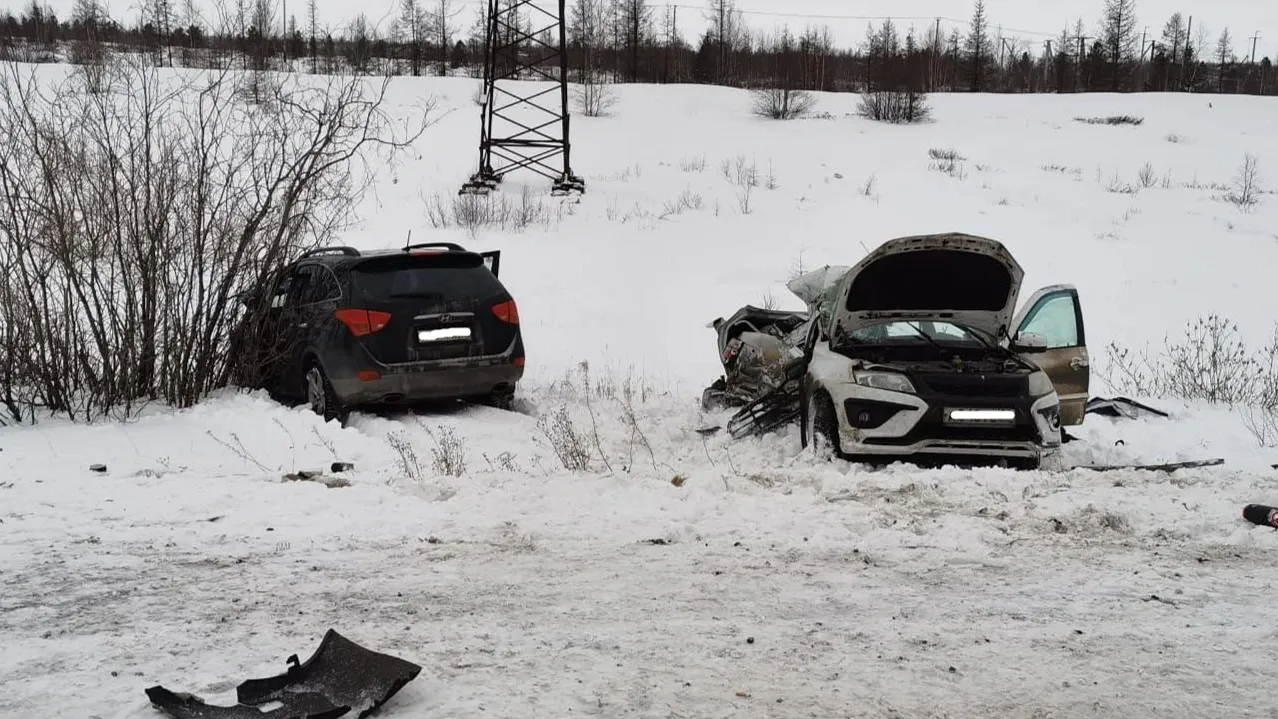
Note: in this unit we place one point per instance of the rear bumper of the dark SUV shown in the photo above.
(443, 380)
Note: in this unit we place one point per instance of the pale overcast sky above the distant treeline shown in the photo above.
(1029, 20)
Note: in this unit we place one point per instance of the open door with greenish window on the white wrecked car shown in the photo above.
(1050, 334)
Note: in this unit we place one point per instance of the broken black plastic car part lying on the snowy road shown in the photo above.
(341, 680)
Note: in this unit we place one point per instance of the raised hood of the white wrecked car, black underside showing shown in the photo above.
(950, 278)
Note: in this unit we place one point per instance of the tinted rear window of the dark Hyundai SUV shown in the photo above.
(448, 278)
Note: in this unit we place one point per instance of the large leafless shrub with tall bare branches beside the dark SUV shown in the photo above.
(137, 224)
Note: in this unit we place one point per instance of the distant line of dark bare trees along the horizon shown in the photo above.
(640, 42)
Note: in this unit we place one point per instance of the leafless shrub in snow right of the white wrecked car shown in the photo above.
(1211, 363)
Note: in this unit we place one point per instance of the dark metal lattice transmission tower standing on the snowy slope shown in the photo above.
(525, 126)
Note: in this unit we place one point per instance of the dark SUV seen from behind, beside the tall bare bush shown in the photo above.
(343, 329)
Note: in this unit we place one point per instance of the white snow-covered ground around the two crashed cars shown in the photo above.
(687, 577)
